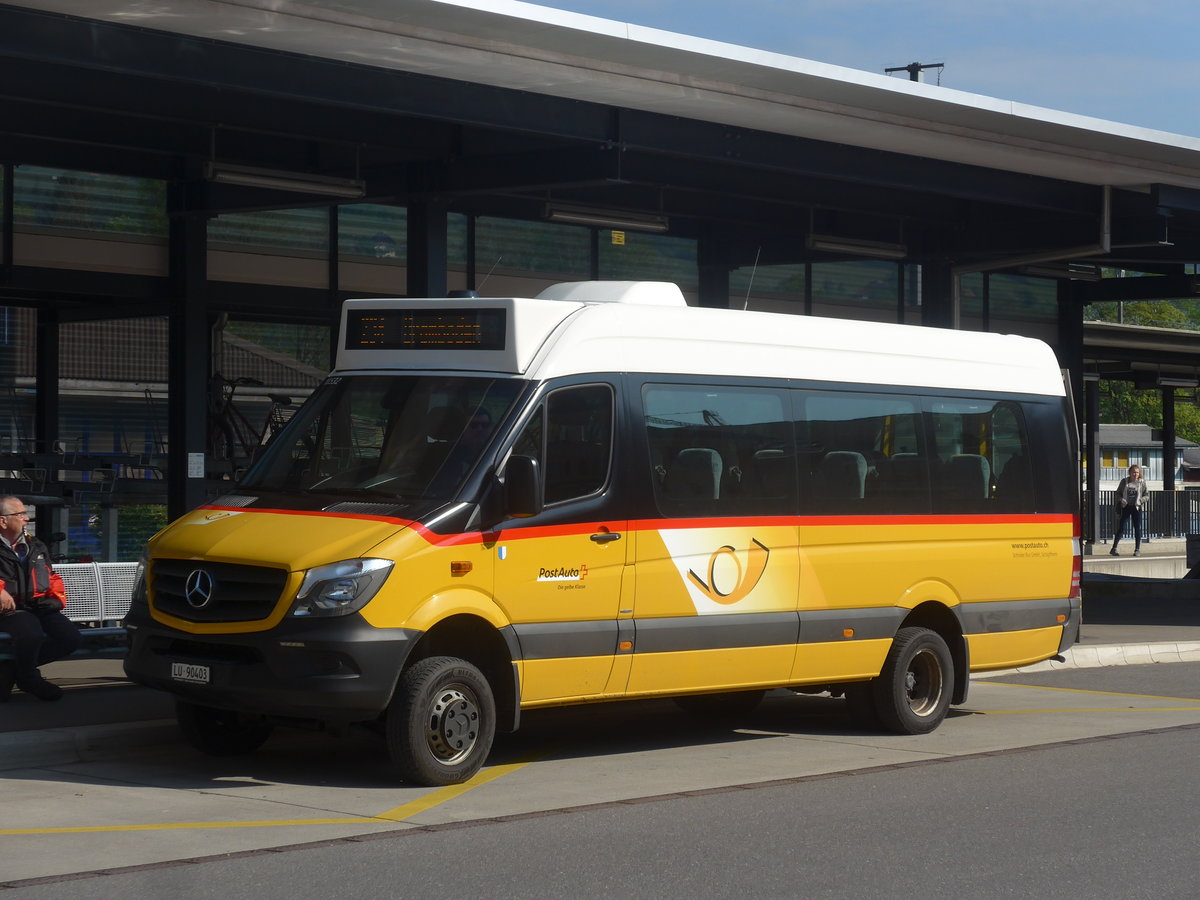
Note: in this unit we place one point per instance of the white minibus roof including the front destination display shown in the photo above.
(584, 328)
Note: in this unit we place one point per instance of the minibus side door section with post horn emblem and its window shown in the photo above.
(717, 577)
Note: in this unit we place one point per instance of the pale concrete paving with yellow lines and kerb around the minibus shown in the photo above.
(103, 778)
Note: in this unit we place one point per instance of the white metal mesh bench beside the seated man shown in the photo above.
(98, 599)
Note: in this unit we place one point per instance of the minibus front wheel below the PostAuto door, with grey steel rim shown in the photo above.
(441, 722)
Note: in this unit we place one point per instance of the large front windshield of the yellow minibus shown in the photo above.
(397, 437)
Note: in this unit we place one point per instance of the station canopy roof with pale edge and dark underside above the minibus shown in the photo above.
(499, 107)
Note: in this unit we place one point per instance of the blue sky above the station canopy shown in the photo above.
(1127, 62)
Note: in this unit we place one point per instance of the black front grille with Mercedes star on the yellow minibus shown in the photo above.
(239, 593)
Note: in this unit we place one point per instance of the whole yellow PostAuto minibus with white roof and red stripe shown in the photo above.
(602, 494)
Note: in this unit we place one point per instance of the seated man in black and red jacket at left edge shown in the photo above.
(32, 603)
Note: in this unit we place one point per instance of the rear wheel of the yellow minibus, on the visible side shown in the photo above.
(913, 693)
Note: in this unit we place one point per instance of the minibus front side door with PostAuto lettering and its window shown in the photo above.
(559, 574)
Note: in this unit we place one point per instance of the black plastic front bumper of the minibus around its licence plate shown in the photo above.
(332, 670)
